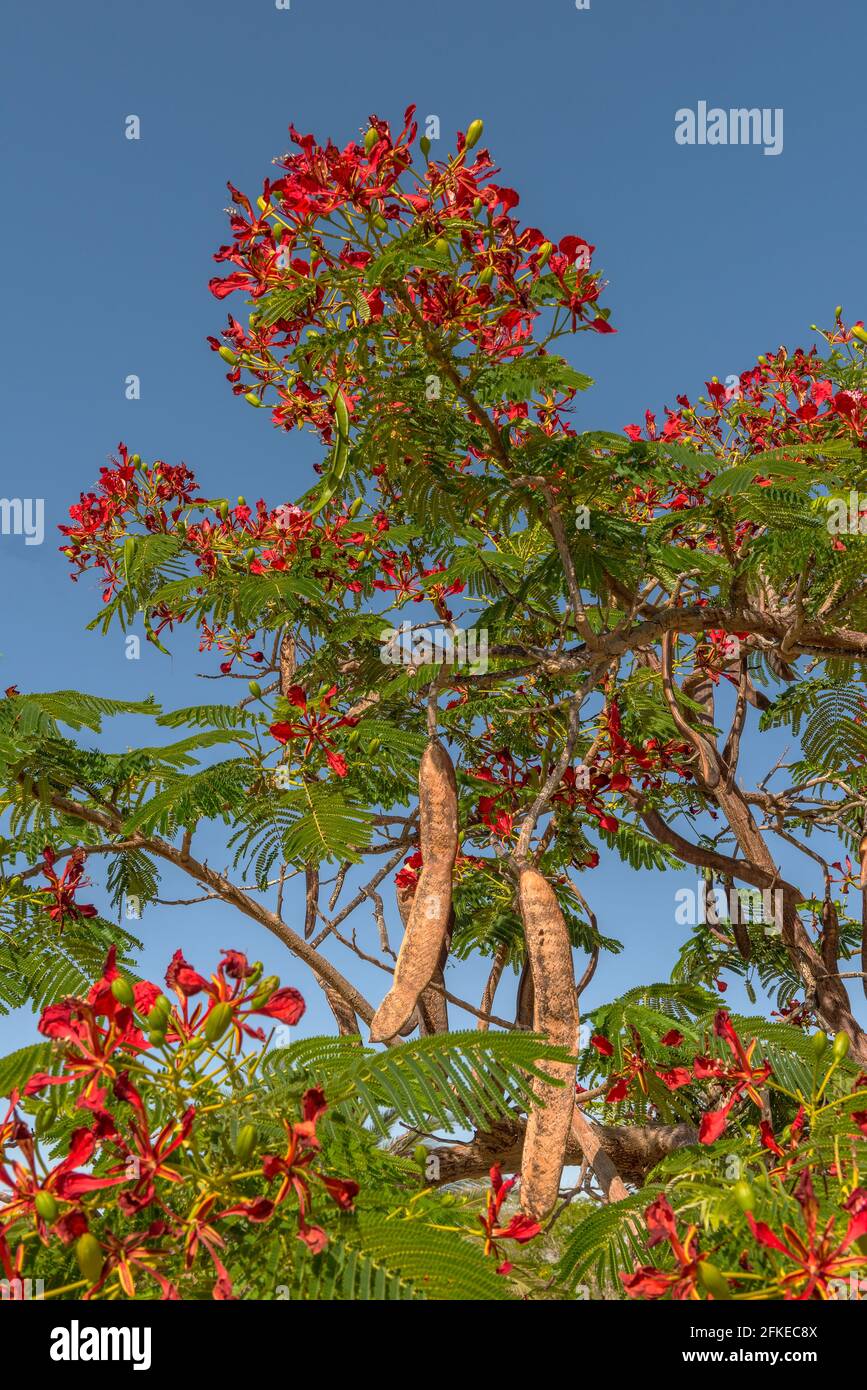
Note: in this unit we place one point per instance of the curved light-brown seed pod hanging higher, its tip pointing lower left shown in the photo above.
(429, 919)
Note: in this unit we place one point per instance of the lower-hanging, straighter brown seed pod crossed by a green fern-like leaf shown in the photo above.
(556, 1017)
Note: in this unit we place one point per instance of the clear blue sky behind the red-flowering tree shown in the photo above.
(713, 256)
